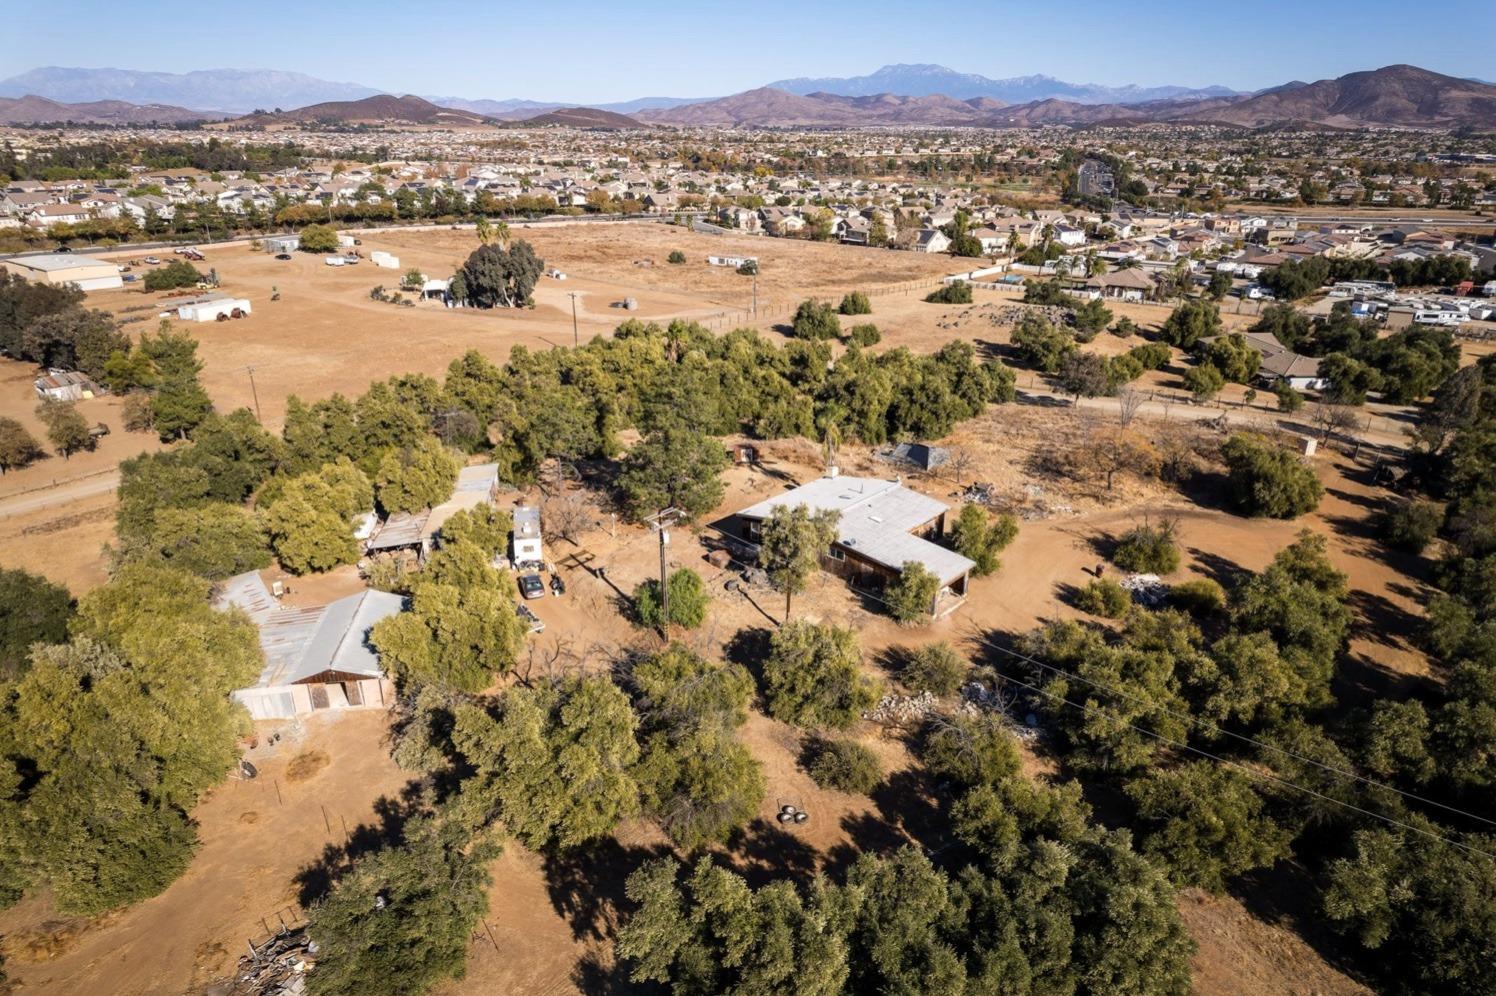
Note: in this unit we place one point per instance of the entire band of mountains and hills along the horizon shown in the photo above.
(1395, 96)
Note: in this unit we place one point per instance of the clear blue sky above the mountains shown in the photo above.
(587, 52)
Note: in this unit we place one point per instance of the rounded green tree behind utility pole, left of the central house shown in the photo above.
(674, 467)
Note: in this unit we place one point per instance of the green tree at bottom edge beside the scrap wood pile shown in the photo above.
(400, 919)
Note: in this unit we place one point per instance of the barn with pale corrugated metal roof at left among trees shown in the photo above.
(315, 659)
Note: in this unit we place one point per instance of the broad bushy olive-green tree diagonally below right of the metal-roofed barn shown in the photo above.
(554, 763)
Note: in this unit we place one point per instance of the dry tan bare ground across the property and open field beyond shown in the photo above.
(547, 934)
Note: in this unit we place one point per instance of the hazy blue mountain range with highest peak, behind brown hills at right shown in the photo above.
(927, 82)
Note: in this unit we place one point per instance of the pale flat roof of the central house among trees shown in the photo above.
(876, 521)
